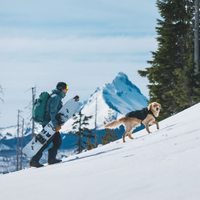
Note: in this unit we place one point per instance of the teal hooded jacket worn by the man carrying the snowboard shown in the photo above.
(54, 104)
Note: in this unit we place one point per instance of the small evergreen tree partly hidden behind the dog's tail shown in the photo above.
(109, 133)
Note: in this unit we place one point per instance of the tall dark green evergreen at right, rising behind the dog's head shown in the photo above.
(172, 78)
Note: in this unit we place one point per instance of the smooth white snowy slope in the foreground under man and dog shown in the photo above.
(162, 165)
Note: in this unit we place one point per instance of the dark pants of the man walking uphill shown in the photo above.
(52, 151)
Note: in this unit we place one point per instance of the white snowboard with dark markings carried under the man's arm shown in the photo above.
(68, 109)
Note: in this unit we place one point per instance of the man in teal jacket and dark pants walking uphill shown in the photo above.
(54, 104)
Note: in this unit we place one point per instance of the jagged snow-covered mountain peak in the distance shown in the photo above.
(121, 95)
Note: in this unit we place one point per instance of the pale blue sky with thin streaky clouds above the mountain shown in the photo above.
(83, 43)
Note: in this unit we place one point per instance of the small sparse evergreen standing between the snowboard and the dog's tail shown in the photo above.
(81, 131)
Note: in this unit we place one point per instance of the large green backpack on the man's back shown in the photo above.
(39, 107)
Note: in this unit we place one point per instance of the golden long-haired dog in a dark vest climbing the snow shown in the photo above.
(131, 120)
